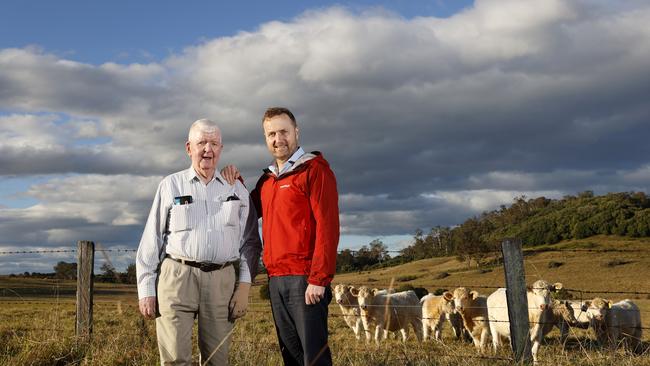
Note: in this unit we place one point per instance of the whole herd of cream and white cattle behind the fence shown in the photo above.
(476, 318)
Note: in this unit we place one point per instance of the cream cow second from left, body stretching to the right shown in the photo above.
(390, 312)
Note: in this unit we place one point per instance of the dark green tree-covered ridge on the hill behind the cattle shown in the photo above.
(534, 221)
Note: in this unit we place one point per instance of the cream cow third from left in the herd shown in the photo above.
(435, 309)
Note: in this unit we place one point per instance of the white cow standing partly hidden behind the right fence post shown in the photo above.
(539, 299)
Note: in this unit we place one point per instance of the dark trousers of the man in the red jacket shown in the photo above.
(301, 328)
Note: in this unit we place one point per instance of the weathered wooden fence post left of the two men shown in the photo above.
(85, 265)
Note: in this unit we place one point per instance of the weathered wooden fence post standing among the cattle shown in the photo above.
(513, 264)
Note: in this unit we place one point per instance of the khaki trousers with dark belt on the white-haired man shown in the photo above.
(186, 293)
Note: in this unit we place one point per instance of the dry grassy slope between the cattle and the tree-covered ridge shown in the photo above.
(599, 263)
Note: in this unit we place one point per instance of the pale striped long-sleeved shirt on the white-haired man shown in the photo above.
(209, 229)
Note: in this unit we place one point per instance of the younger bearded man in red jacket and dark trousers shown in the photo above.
(298, 202)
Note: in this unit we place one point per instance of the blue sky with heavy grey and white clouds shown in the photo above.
(428, 111)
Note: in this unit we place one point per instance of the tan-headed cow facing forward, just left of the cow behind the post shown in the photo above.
(472, 308)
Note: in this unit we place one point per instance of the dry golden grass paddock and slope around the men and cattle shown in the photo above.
(37, 316)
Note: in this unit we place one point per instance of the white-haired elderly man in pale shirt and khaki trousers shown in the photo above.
(199, 227)
